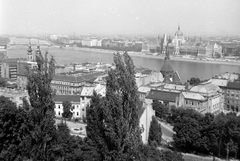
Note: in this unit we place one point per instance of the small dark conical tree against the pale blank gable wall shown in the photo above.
(155, 132)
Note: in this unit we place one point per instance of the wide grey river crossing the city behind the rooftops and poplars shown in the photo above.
(186, 69)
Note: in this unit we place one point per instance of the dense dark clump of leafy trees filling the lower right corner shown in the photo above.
(207, 134)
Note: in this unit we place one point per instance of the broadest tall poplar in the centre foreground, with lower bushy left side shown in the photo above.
(112, 121)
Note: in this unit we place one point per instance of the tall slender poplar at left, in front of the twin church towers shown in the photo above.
(42, 131)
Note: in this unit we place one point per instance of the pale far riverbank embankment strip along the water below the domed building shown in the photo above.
(143, 55)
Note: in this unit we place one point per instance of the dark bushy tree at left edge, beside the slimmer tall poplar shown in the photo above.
(12, 130)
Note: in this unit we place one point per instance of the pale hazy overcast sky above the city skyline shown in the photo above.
(119, 16)
